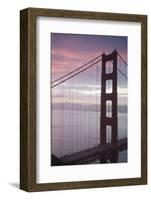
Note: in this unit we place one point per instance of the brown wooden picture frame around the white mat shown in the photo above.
(28, 99)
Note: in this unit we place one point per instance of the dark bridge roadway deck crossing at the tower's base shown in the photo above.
(92, 154)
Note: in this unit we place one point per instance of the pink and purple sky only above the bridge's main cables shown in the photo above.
(69, 51)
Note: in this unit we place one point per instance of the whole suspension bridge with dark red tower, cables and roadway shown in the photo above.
(89, 112)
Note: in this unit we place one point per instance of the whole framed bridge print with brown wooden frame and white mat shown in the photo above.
(83, 93)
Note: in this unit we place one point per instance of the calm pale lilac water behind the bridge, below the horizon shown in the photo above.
(73, 131)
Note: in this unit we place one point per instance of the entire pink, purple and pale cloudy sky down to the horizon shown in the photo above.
(69, 51)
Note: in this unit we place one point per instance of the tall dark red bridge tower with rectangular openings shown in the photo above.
(111, 97)
